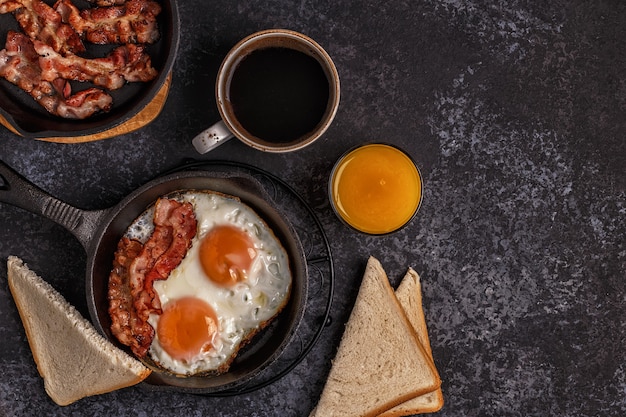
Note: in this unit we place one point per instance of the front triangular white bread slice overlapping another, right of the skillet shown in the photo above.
(380, 362)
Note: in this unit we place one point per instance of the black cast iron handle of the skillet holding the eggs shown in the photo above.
(19, 192)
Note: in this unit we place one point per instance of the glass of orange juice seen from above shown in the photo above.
(376, 188)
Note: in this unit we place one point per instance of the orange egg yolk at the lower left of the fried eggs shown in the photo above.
(186, 328)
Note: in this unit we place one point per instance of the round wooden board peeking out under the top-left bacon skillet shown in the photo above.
(141, 119)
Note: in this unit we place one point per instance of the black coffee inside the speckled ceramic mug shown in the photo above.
(279, 94)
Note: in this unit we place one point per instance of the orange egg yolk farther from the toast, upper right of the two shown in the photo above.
(226, 254)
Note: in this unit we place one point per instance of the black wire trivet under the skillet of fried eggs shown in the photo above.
(320, 264)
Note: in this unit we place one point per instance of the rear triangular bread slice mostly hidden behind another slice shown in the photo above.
(409, 294)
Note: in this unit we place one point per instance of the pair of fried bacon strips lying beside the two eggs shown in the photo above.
(136, 269)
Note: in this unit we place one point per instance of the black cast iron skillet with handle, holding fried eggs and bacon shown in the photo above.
(100, 230)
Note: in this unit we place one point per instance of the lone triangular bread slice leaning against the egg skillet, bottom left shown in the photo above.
(74, 360)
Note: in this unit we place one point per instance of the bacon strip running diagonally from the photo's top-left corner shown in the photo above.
(41, 22)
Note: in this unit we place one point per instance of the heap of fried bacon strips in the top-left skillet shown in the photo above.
(58, 35)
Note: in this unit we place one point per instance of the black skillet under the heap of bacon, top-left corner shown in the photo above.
(33, 121)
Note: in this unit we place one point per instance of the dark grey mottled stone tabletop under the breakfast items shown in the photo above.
(515, 111)
